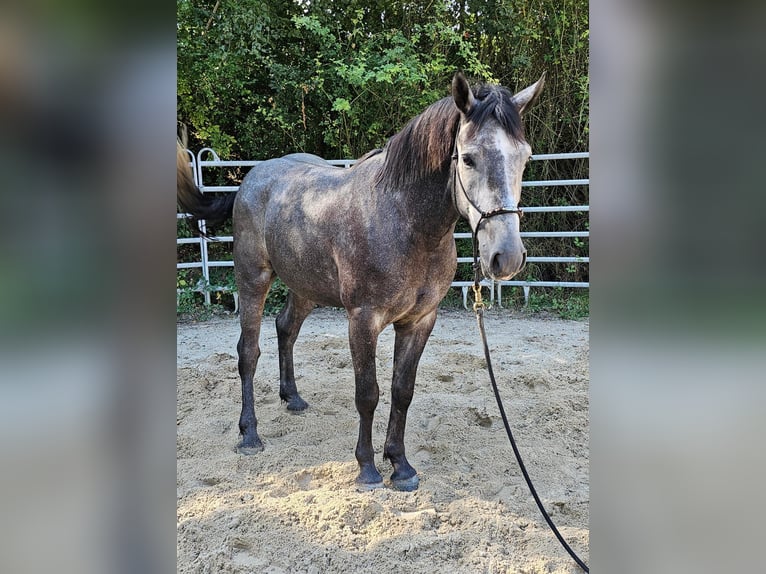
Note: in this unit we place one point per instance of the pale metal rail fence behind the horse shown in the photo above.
(197, 164)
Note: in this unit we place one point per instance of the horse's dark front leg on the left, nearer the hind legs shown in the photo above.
(363, 330)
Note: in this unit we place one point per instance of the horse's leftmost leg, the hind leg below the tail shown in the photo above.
(252, 296)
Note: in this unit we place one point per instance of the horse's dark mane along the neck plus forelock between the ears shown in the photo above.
(424, 146)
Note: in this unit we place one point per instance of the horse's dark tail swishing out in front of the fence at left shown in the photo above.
(214, 210)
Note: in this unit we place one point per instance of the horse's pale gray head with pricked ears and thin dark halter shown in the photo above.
(489, 157)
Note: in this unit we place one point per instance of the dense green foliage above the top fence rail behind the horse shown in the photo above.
(259, 79)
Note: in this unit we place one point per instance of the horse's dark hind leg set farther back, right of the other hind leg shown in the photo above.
(289, 324)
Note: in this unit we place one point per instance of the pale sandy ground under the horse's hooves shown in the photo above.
(293, 507)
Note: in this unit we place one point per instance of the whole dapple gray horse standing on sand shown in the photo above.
(375, 239)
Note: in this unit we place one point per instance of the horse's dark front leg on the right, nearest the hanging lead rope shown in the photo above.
(410, 341)
